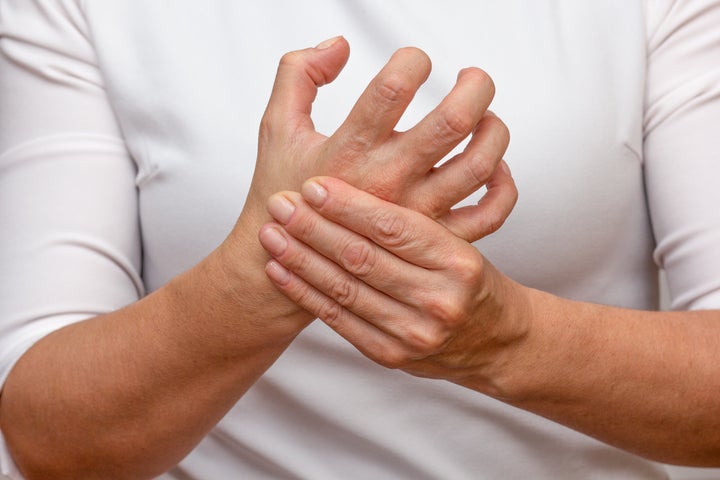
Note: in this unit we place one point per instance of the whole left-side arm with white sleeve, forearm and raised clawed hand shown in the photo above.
(132, 384)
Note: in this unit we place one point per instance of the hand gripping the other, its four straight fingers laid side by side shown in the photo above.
(402, 288)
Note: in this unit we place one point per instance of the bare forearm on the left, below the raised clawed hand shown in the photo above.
(128, 394)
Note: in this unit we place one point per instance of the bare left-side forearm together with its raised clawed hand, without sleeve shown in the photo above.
(146, 382)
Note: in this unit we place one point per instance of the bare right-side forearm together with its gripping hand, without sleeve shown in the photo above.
(411, 295)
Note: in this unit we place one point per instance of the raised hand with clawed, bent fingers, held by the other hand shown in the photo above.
(366, 151)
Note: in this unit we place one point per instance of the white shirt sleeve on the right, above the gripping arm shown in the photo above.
(682, 147)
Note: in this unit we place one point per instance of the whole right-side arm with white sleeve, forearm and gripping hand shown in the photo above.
(643, 381)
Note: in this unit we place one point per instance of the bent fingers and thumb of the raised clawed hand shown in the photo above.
(406, 160)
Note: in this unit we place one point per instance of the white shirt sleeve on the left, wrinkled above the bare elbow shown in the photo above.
(69, 234)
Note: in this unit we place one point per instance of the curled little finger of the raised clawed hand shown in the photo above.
(474, 222)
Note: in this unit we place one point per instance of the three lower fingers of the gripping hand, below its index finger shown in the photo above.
(369, 296)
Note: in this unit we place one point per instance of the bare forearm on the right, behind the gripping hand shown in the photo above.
(646, 382)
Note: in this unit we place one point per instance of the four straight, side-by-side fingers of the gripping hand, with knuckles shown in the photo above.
(390, 308)
